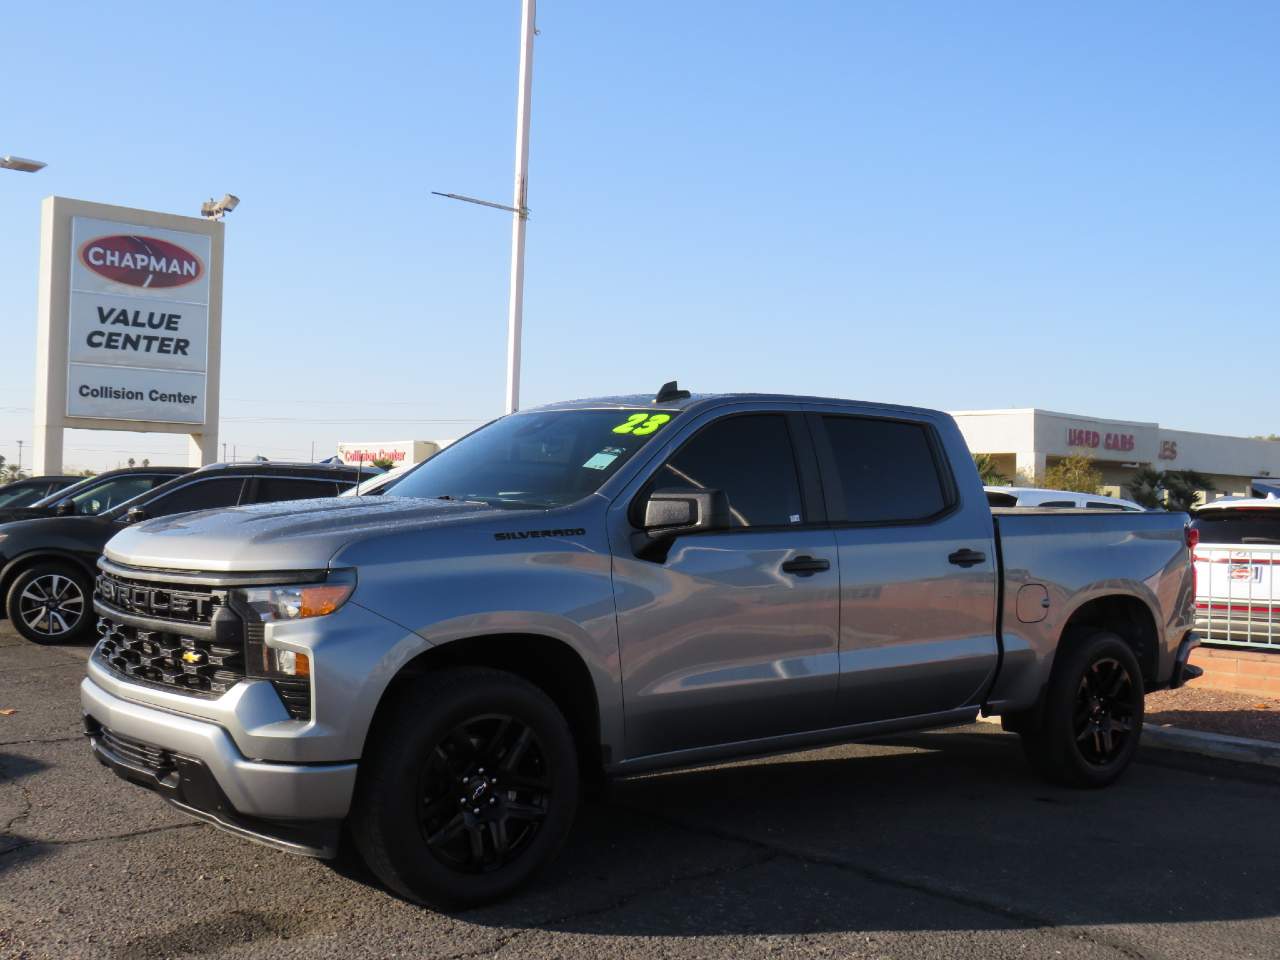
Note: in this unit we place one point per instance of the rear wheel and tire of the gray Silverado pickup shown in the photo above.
(1091, 723)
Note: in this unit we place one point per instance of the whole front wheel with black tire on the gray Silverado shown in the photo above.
(469, 788)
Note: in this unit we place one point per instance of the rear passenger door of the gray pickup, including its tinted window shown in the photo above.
(917, 568)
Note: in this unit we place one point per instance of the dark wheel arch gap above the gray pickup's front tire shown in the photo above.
(552, 665)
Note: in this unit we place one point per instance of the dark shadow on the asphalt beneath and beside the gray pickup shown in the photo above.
(938, 831)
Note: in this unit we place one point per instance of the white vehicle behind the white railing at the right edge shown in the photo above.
(1237, 559)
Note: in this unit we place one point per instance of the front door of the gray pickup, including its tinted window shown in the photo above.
(729, 636)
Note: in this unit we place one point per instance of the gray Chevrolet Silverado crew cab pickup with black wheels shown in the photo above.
(601, 588)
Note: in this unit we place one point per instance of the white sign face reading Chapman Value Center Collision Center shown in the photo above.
(139, 323)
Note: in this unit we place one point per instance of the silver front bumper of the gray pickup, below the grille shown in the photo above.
(196, 766)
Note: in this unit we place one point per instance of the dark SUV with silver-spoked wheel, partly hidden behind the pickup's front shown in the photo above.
(48, 565)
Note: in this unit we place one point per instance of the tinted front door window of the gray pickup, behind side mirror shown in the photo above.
(751, 460)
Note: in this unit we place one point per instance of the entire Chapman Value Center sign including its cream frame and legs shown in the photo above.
(130, 326)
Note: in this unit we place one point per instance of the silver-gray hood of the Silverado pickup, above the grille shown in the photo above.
(277, 537)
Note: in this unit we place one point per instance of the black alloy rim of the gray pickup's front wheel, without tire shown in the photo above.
(486, 794)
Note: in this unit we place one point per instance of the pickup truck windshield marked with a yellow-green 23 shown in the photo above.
(536, 460)
